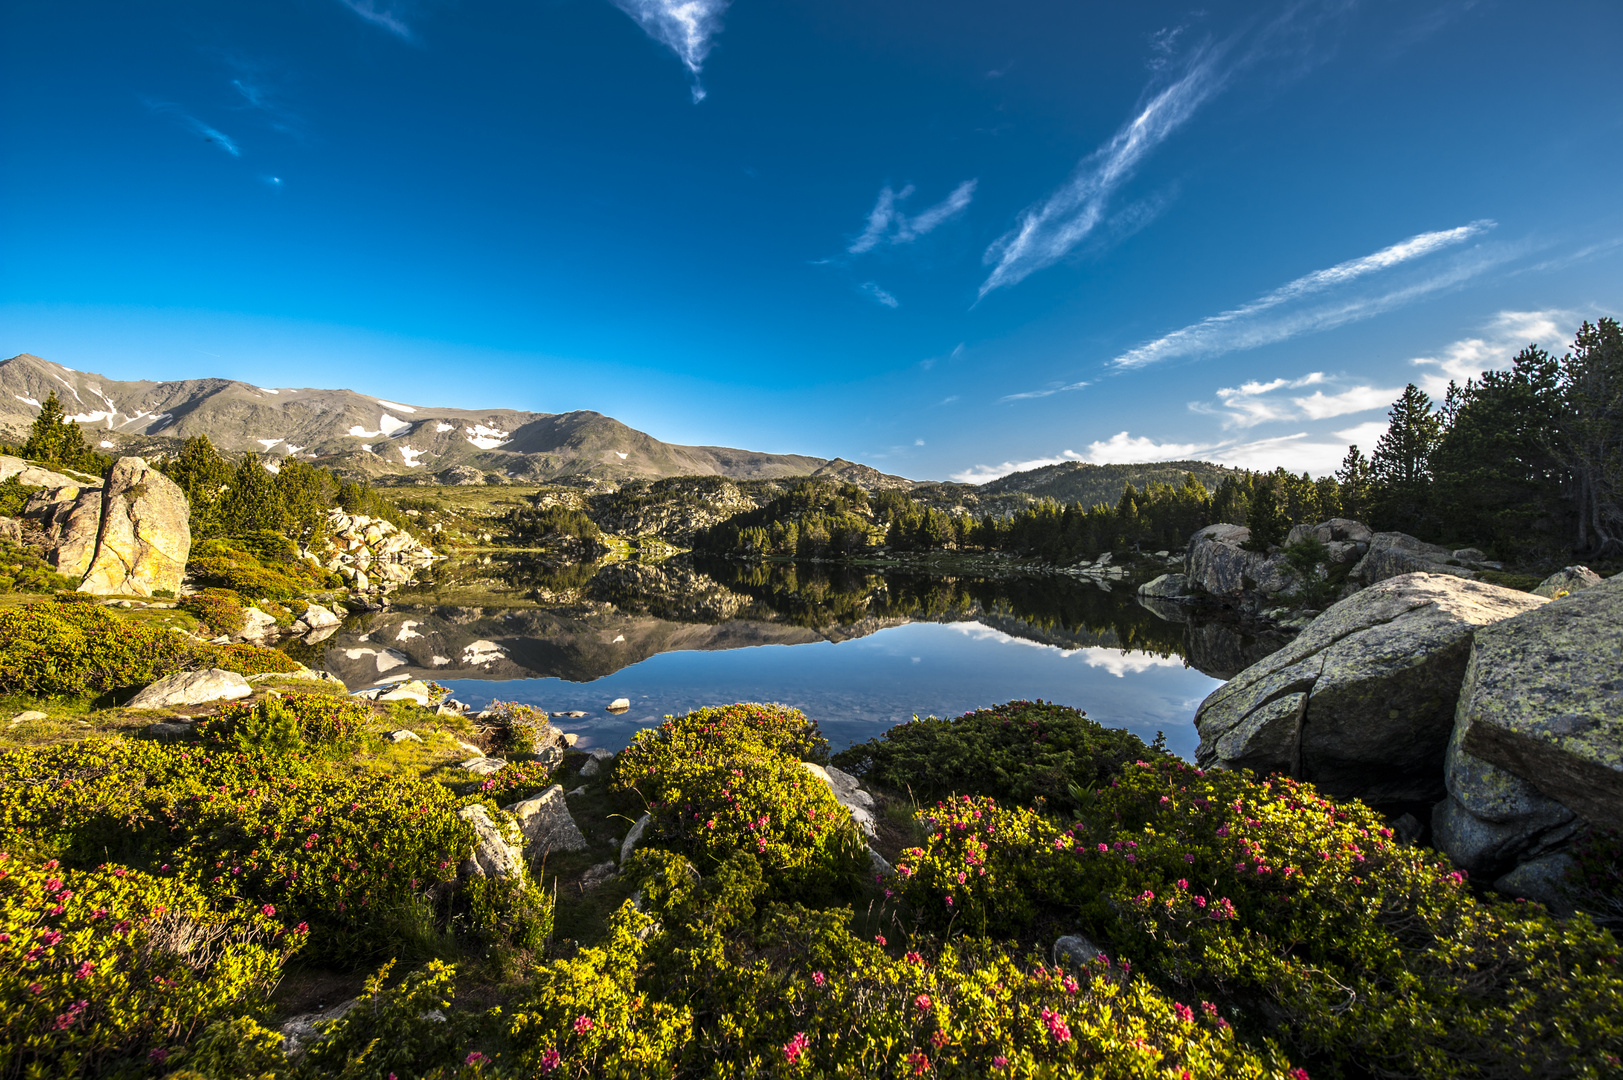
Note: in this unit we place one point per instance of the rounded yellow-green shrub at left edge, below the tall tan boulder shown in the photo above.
(74, 647)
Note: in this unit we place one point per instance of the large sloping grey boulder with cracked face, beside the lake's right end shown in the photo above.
(1363, 702)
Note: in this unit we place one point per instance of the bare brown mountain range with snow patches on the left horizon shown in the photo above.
(377, 438)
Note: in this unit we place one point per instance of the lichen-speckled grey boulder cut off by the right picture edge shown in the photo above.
(1544, 701)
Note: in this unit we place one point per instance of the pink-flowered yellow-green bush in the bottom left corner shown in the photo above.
(101, 967)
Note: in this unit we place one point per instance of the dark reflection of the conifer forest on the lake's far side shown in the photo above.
(1051, 608)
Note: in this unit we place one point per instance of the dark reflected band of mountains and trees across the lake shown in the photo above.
(583, 623)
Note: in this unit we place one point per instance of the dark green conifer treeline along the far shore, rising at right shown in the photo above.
(1526, 464)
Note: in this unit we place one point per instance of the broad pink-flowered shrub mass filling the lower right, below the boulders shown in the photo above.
(1302, 915)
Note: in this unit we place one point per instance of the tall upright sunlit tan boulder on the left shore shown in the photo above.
(145, 534)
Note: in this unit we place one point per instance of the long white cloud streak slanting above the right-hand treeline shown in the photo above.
(1288, 311)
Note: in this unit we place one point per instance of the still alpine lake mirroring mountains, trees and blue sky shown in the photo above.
(856, 649)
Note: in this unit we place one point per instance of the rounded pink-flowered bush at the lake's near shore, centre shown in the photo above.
(726, 780)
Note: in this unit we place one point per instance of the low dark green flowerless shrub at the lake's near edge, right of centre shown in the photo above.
(1022, 753)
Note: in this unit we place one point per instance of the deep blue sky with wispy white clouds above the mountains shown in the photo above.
(947, 240)
